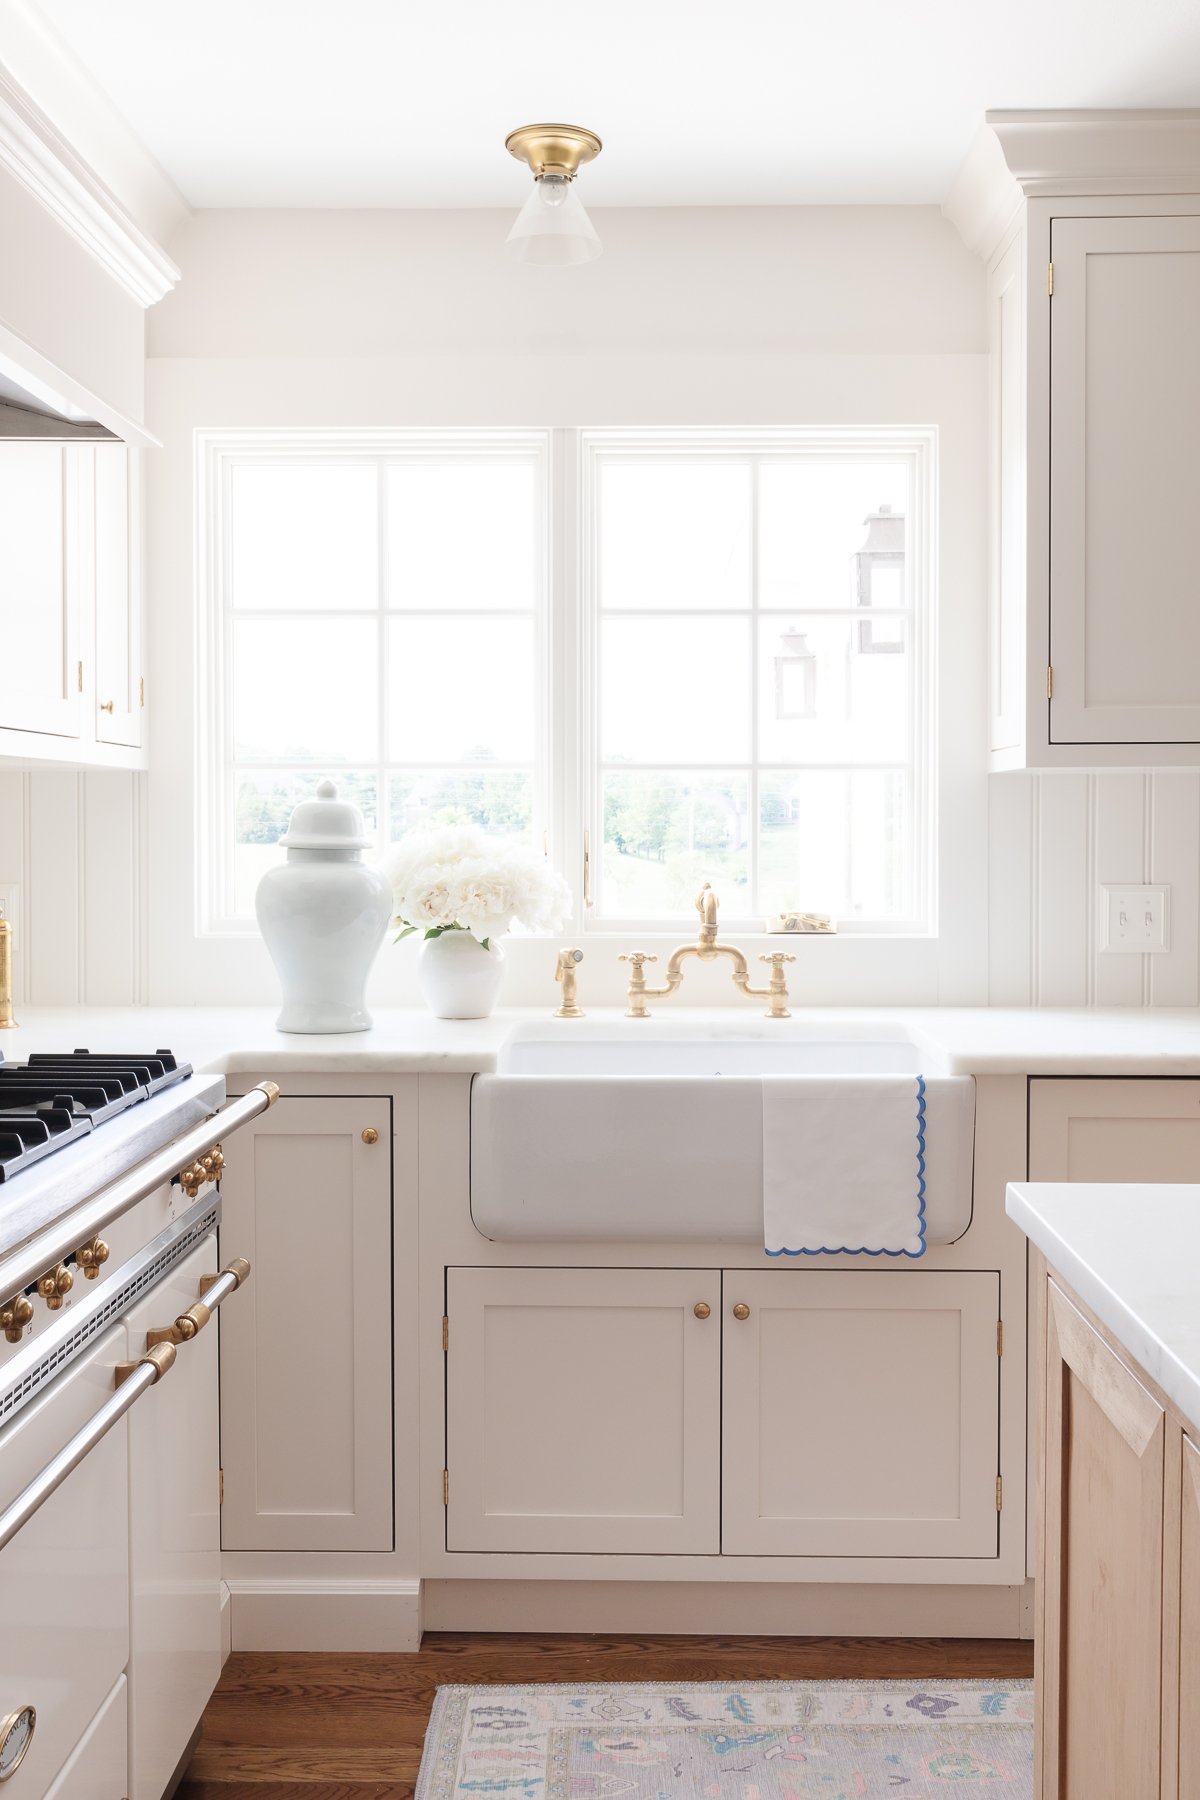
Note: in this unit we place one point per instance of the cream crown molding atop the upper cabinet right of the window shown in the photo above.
(1025, 156)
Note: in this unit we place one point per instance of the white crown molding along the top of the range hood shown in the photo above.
(40, 157)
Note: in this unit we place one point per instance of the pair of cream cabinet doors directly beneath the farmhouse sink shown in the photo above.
(789, 1412)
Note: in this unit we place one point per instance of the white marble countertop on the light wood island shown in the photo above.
(1133, 1254)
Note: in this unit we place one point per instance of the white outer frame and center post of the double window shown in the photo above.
(568, 800)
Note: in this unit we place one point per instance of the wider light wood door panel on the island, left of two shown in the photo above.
(1102, 1569)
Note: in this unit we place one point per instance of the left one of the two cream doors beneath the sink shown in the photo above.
(584, 1410)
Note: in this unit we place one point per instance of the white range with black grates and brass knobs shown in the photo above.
(111, 1198)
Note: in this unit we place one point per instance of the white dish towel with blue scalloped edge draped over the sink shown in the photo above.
(845, 1162)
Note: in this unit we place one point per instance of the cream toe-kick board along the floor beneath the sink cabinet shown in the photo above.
(778, 1610)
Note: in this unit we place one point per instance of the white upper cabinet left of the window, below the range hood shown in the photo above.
(71, 663)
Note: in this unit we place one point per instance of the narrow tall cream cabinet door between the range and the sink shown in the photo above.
(307, 1362)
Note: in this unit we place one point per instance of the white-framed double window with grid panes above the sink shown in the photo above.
(665, 658)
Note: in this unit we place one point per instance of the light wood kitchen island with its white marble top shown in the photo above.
(1118, 1592)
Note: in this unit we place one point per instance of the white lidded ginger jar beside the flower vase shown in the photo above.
(323, 915)
